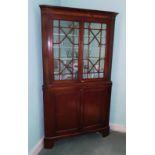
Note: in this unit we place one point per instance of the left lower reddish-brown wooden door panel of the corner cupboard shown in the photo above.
(67, 103)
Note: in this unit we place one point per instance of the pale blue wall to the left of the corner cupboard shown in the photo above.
(35, 78)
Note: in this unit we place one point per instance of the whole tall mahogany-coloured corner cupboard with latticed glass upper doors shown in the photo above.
(77, 49)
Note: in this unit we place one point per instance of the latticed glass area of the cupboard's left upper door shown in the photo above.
(65, 49)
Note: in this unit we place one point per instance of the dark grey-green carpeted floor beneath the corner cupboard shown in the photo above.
(90, 144)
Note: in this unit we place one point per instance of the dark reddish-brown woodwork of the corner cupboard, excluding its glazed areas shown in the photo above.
(74, 107)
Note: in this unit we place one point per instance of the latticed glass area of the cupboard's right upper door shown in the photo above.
(94, 50)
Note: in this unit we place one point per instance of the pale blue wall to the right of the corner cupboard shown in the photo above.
(118, 99)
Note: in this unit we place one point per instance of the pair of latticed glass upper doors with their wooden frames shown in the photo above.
(78, 50)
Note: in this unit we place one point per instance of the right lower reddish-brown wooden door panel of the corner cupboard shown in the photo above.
(96, 103)
